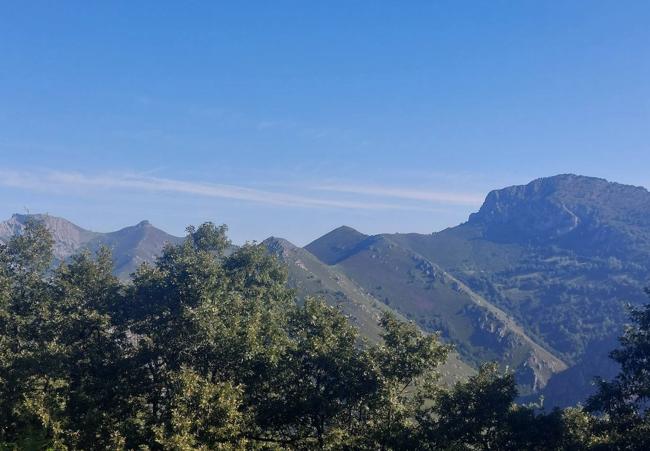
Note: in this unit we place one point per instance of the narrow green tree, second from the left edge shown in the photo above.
(92, 349)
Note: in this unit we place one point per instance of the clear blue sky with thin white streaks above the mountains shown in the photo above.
(290, 118)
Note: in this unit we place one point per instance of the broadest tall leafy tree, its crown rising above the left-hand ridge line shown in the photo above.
(216, 319)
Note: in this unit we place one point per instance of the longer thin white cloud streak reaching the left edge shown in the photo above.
(61, 181)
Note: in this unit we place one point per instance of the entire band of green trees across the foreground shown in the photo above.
(208, 349)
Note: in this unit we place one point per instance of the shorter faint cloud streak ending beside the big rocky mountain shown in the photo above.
(441, 197)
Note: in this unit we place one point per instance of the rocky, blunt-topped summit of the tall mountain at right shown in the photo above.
(571, 210)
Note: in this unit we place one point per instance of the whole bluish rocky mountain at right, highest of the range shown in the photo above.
(561, 256)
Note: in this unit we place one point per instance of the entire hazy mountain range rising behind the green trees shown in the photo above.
(537, 279)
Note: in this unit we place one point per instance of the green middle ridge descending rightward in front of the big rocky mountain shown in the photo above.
(425, 293)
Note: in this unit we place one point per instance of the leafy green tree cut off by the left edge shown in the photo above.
(28, 414)
